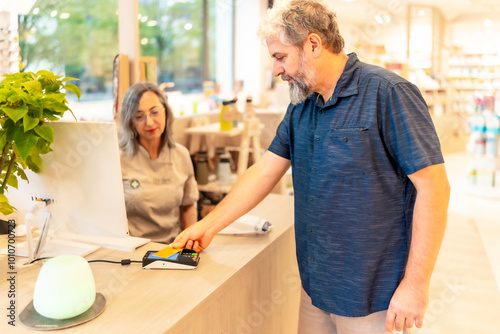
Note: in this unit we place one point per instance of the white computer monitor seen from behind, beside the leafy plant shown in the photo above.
(82, 176)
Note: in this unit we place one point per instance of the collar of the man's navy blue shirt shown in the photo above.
(347, 84)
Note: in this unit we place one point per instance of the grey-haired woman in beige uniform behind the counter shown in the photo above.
(158, 177)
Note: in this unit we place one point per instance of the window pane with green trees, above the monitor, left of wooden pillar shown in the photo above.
(75, 38)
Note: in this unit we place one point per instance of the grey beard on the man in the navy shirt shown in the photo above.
(302, 84)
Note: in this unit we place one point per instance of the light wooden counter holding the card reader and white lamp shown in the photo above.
(243, 284)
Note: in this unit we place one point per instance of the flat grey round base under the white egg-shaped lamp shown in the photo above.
(31, 319)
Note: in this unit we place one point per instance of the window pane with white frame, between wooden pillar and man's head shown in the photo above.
(191, 41)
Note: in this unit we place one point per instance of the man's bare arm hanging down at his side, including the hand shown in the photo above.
(410, 299)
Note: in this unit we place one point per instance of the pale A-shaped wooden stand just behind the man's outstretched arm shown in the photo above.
(251, 133)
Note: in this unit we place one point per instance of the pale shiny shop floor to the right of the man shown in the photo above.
(465, 288)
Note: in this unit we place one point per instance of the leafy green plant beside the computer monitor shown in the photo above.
(28, 103)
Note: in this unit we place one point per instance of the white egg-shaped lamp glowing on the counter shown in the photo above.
(65, 287)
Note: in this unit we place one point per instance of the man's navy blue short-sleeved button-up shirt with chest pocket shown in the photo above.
(354, 202)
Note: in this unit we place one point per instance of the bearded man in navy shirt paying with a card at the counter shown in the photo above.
(371, 191)
